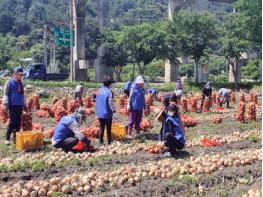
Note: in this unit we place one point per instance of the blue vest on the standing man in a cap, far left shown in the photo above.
(15, 98)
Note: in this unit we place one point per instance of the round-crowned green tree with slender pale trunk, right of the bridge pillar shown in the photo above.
(193, 32)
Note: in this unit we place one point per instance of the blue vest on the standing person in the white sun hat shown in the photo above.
(138, 99)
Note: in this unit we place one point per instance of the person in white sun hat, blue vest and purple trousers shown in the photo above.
(136, 105)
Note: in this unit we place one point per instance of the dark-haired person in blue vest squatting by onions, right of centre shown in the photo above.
(173, 131)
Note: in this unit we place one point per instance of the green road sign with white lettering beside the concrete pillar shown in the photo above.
(62, 36)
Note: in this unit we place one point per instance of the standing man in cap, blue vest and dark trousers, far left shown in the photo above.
(14, 102)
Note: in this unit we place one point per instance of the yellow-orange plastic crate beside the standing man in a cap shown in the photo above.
(29, 140)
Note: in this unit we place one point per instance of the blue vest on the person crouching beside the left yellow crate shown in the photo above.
(62, 131)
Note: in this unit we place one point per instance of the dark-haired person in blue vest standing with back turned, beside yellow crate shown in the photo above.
(105, 108)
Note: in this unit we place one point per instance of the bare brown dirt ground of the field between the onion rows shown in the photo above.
(225, 181)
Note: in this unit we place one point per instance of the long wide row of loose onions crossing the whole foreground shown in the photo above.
(84, 183)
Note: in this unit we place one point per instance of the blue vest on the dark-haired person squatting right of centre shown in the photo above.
(177, 132)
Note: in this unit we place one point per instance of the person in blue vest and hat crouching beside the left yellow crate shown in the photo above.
(67, 132)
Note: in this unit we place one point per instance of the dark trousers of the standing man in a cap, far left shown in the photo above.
(15, 116)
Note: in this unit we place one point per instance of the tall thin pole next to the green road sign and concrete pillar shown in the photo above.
(72, 73)
